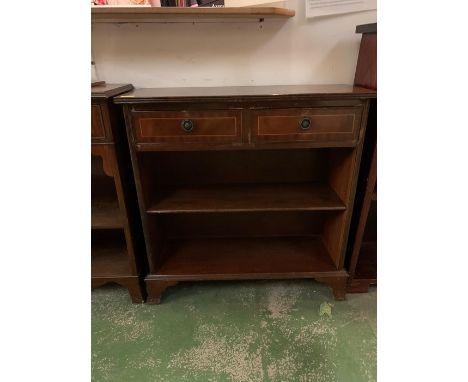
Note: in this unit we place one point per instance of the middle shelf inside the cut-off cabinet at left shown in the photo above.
(105, 213)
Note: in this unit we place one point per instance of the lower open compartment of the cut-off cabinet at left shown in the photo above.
(109, 258)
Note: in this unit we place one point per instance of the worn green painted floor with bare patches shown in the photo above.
(235, 331)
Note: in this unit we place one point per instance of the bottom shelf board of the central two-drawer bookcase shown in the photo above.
(245, 258)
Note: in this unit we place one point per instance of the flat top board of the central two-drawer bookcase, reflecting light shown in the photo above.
(155, 94)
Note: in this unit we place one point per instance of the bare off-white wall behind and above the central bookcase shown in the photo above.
(296, 51)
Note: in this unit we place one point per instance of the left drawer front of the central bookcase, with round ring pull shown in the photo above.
(188, 127)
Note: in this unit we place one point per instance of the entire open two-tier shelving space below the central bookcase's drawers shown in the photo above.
(245, 214)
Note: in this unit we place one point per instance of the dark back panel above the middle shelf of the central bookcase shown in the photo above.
(234, 167)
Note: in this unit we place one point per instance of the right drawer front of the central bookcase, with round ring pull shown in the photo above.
(307, 125)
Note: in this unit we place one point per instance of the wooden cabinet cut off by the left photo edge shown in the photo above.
(116, 251)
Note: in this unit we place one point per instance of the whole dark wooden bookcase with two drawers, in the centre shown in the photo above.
(246, 182)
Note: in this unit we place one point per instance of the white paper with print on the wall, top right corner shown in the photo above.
(316, 8)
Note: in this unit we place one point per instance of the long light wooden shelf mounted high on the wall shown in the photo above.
(164, 14)
